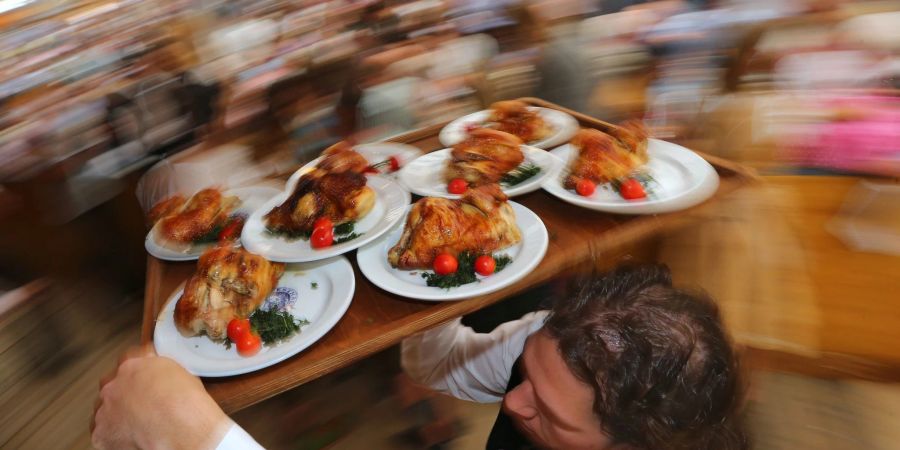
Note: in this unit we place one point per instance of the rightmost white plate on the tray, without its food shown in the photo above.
(681, 179)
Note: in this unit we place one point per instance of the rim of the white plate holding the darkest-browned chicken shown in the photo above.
(346, 247)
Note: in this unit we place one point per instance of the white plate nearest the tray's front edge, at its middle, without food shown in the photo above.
(526, 255)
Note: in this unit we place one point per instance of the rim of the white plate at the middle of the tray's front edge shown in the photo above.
(442, 295)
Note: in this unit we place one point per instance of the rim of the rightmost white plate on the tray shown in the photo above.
(697, 193)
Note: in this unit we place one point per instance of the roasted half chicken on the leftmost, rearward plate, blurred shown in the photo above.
(185, 222)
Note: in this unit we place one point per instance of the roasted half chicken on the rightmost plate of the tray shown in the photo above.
(602, 157)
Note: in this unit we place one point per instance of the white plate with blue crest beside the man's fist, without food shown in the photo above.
(322, 307)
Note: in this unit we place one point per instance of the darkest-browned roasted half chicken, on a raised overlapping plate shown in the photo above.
(335, 188)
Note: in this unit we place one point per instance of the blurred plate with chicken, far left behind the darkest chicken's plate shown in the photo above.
(183, 228)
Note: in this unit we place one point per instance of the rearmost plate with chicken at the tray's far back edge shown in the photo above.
(535, 126)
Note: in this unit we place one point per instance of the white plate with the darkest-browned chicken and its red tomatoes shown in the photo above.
(331, 208)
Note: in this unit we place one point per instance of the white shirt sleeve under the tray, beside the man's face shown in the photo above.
(455, 360)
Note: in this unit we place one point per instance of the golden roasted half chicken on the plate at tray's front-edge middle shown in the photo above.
(480, 222)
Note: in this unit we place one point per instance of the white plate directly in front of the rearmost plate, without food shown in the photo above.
(425, 175)
